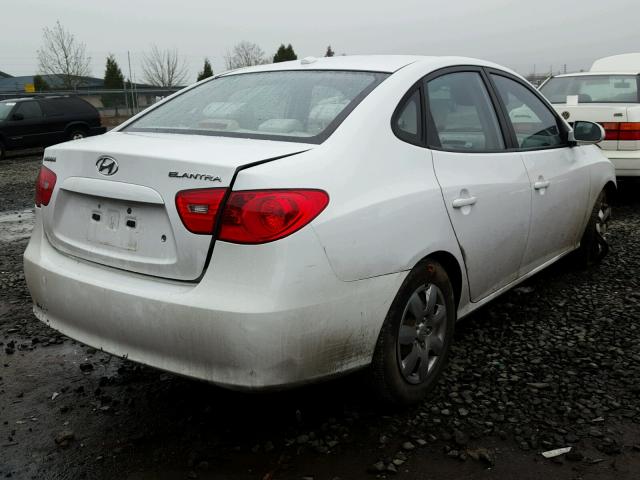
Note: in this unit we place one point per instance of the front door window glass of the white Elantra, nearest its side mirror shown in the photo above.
(534, 124)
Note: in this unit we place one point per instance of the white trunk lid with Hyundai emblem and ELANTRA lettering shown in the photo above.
(114, 202)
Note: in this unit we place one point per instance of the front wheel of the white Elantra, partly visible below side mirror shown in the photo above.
(593, 245)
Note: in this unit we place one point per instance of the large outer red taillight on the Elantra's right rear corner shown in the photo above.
(260, 216)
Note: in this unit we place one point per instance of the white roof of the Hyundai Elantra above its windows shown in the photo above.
(371, 63)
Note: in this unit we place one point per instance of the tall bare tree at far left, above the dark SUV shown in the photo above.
(63, 56)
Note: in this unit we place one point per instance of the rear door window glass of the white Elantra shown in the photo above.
(462, 113)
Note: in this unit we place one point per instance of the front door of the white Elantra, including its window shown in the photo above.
(559, 174)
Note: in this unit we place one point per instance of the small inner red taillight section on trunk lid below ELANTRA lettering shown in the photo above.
(198, 209)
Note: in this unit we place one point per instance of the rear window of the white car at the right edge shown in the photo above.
(593, 89)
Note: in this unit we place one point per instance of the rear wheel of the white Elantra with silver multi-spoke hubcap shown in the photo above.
(416, 336)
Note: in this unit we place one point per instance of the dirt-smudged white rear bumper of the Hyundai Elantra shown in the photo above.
(252, 322)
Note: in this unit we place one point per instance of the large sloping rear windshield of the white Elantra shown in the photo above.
(303, 106)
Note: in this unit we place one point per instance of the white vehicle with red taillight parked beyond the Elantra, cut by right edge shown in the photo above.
(607, 94)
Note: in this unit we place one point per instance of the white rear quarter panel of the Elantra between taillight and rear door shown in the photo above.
(386, 210)
